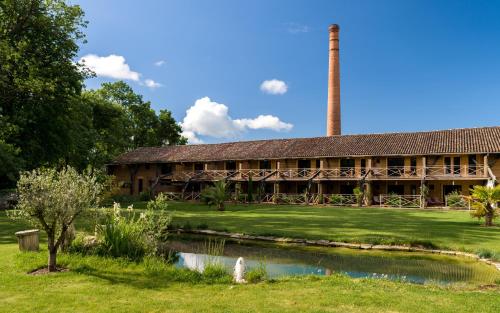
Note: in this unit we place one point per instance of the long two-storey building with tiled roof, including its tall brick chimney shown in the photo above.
(402, 169)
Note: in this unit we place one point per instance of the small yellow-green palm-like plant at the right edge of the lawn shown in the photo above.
(486, 199)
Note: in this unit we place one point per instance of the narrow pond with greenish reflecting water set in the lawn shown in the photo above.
(292, 259)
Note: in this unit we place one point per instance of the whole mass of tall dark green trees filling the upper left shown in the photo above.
(46, 118)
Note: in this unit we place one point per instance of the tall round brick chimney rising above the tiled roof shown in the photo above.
(333, 115)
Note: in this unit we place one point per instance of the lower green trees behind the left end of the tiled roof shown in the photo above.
(118, 114)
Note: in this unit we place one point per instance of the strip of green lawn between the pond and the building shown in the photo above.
(445, 229)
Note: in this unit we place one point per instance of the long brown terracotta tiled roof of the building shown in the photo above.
(463, 141)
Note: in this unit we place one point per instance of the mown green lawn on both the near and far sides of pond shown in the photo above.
(96, 284)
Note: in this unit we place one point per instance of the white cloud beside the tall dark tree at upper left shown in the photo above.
(112, 66)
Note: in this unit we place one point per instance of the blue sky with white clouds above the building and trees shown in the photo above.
(405, 65)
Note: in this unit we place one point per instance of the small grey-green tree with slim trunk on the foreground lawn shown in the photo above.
(52, 200)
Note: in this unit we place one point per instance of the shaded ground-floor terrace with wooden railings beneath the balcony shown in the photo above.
(407, 193)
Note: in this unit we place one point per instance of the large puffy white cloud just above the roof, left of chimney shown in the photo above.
(209, 118)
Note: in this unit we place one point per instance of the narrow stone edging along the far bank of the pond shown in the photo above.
(327, 243)
